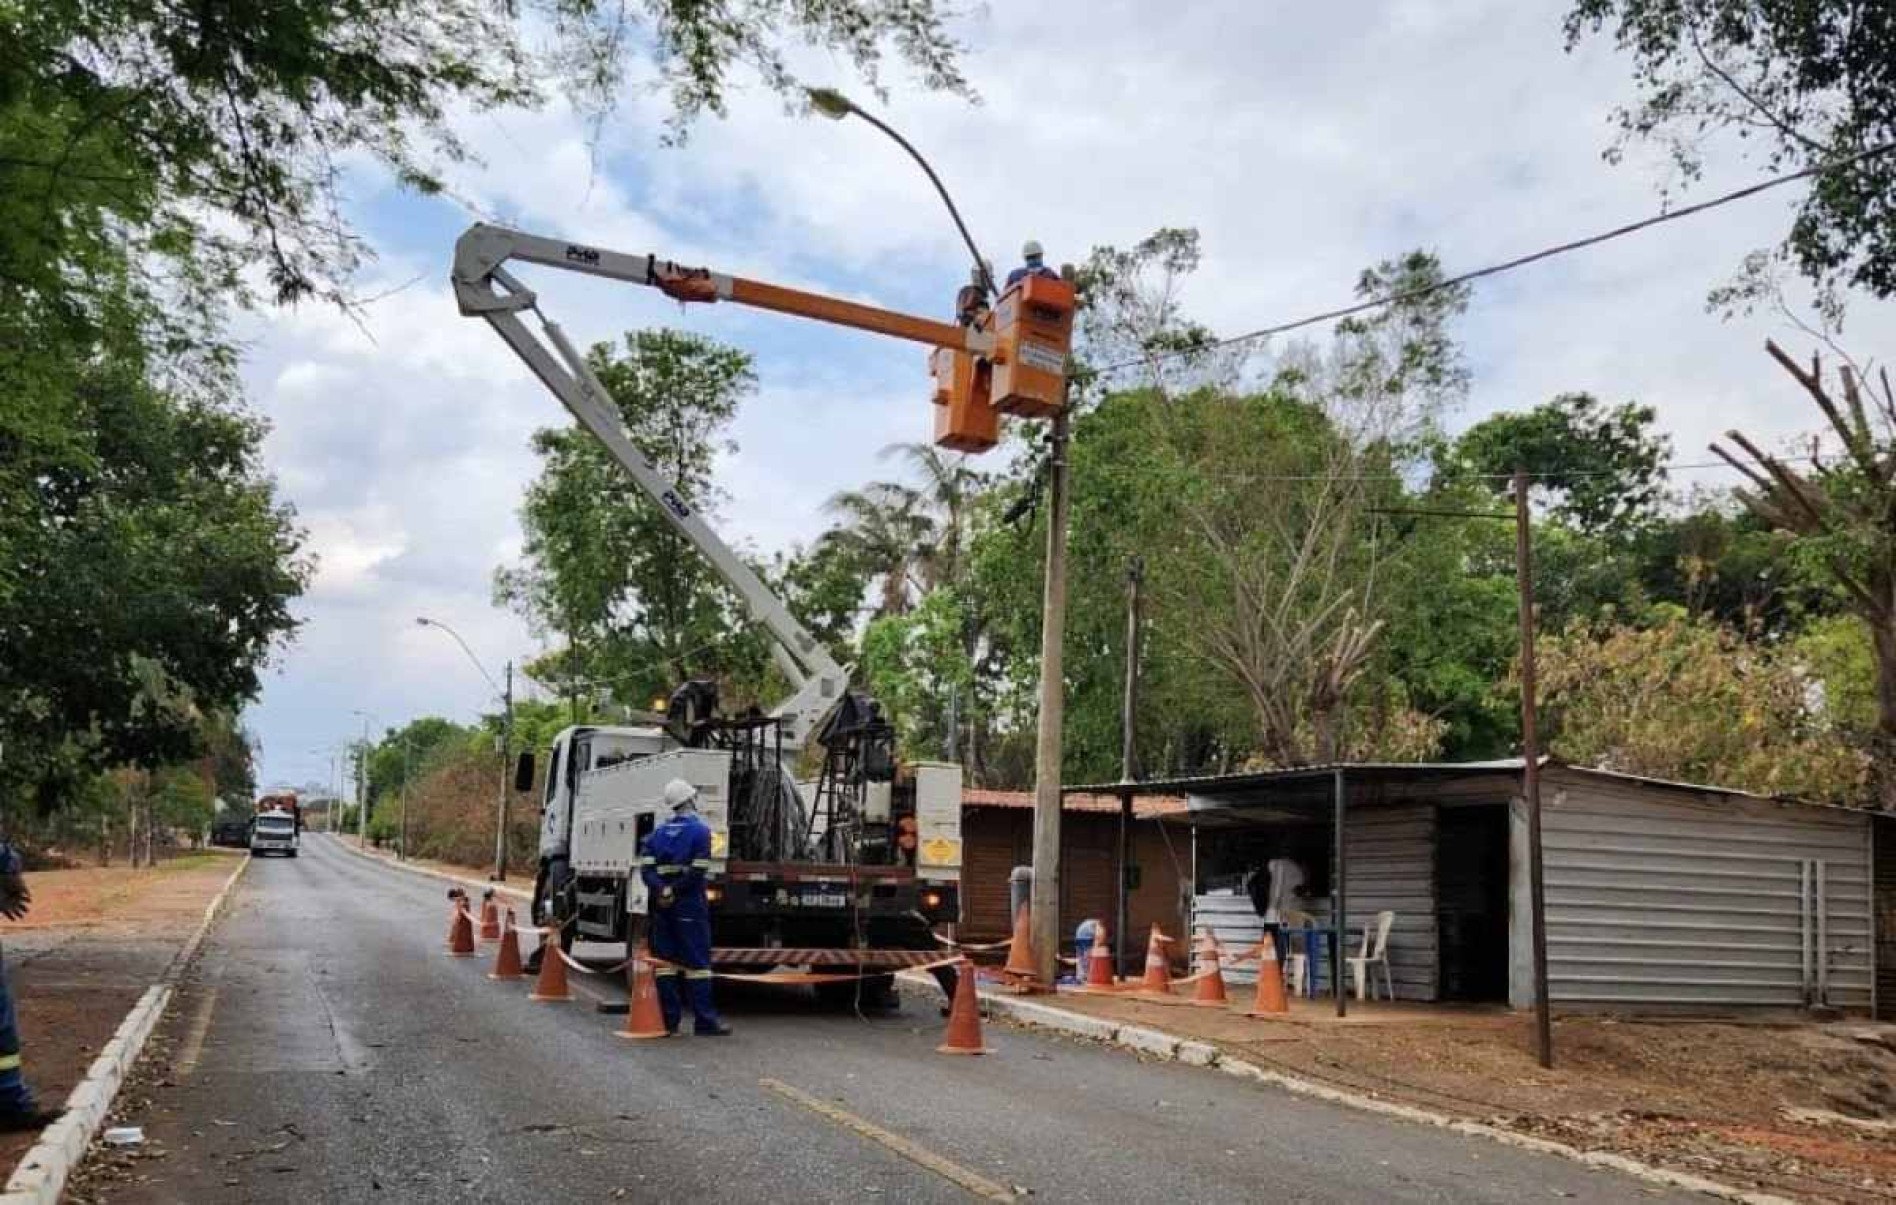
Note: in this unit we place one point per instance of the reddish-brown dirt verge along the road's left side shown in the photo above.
(94, 943)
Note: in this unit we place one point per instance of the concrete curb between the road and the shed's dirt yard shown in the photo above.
(1156, 1043)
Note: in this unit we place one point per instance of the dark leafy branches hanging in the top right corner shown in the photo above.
(1812, 84)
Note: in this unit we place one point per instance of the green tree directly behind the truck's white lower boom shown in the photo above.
(602, 567)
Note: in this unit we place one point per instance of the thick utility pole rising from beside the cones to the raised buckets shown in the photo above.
(1046, 907)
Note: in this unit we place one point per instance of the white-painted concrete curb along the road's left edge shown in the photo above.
(41, 1176)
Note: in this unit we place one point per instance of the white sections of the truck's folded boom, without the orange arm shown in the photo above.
(484, 289)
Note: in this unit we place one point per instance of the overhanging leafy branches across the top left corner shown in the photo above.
(217, 135)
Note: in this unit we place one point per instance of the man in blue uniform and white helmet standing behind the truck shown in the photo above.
(674, 865)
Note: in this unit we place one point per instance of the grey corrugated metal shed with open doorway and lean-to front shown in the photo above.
(1660, 893)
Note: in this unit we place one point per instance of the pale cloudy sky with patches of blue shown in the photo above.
(1303, 143)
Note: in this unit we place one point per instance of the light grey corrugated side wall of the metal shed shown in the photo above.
(1662, 899)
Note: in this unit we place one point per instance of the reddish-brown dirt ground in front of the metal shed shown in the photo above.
(1795, 1107)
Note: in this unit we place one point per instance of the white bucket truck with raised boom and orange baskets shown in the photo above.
(856, 869)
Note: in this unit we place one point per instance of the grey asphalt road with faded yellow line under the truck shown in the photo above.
(327, 1051)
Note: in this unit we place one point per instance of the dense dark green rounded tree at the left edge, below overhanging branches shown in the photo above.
(149, 577)
